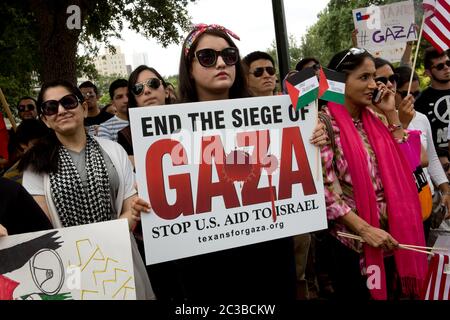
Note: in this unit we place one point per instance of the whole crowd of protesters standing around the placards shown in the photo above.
(75, 161)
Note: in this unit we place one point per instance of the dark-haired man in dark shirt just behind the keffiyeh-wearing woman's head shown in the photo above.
(95, 115)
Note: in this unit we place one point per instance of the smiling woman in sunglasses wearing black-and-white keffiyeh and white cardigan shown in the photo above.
(78, 179)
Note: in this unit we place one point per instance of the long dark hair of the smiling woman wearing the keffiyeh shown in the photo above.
(43, 156)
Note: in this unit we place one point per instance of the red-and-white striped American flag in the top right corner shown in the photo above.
(436, 27)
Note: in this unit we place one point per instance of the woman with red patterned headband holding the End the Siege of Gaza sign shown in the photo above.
(210, 69)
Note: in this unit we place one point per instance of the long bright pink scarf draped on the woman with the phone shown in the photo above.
(403, 207)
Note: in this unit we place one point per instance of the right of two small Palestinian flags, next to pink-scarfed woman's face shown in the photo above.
(332, 86)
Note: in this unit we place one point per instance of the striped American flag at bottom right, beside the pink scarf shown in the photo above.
(437, 283)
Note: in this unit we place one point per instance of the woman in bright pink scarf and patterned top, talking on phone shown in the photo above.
(369, 190)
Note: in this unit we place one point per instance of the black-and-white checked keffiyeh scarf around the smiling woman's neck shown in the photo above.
(75, 204)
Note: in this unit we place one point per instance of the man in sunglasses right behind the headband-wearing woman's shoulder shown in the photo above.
(261, 73)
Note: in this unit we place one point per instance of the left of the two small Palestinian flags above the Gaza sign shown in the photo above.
(303, 88)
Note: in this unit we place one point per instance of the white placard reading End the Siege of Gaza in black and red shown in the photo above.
(213, 171)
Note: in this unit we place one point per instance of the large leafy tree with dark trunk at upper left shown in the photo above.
(35, 38)
